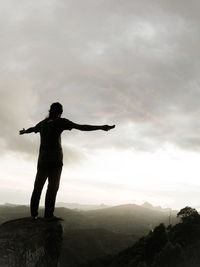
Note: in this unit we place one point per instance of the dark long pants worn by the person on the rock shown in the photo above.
(52, 171)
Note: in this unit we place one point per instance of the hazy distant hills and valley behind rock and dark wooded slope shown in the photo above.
(94, 233)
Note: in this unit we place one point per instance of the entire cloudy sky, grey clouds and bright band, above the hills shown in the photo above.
(131, 63)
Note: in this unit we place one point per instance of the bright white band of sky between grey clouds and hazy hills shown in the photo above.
(162, 178)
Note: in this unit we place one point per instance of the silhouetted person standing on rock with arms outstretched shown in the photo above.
(50, 160)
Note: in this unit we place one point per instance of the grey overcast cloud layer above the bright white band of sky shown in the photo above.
(130, 63)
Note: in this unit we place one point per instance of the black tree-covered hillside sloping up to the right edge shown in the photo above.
(173, 246)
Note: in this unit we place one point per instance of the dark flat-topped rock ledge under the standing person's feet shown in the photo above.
(28, 243)
